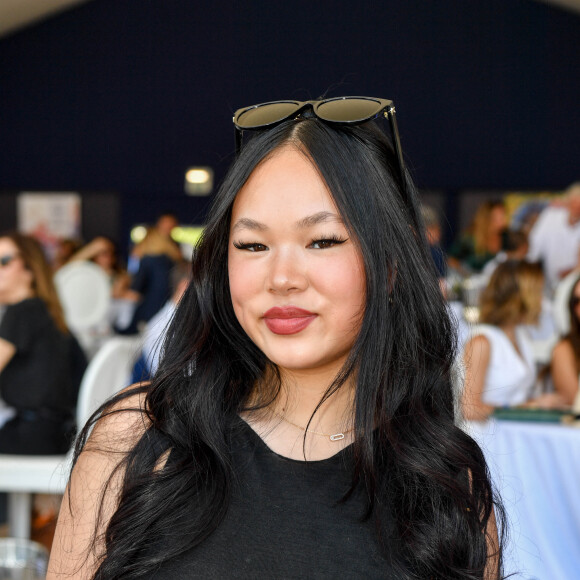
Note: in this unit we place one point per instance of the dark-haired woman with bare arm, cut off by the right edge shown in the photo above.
(566, 355)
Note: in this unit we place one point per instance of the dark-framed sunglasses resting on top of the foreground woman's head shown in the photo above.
(336, 111)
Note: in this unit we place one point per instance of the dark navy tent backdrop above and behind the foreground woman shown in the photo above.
(124, 95)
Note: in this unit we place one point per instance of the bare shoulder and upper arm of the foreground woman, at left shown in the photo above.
(93, 491)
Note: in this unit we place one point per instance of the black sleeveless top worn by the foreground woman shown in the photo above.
(285, 521)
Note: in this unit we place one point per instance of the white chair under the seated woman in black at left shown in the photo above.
(23, 475)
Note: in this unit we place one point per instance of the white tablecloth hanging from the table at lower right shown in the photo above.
(536, 468)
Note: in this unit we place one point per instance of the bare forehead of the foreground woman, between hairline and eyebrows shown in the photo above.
(286, 185)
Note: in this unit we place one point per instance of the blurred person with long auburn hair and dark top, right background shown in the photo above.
(482, 240)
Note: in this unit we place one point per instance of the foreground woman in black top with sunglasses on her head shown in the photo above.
(301, 421)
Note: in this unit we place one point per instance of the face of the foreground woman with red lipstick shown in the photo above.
(296, 278)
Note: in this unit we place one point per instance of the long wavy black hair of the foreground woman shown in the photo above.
(415, 465)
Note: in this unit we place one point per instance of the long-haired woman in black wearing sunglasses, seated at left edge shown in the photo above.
(41, 363)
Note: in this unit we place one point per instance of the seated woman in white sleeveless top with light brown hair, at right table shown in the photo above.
(500, 370)
